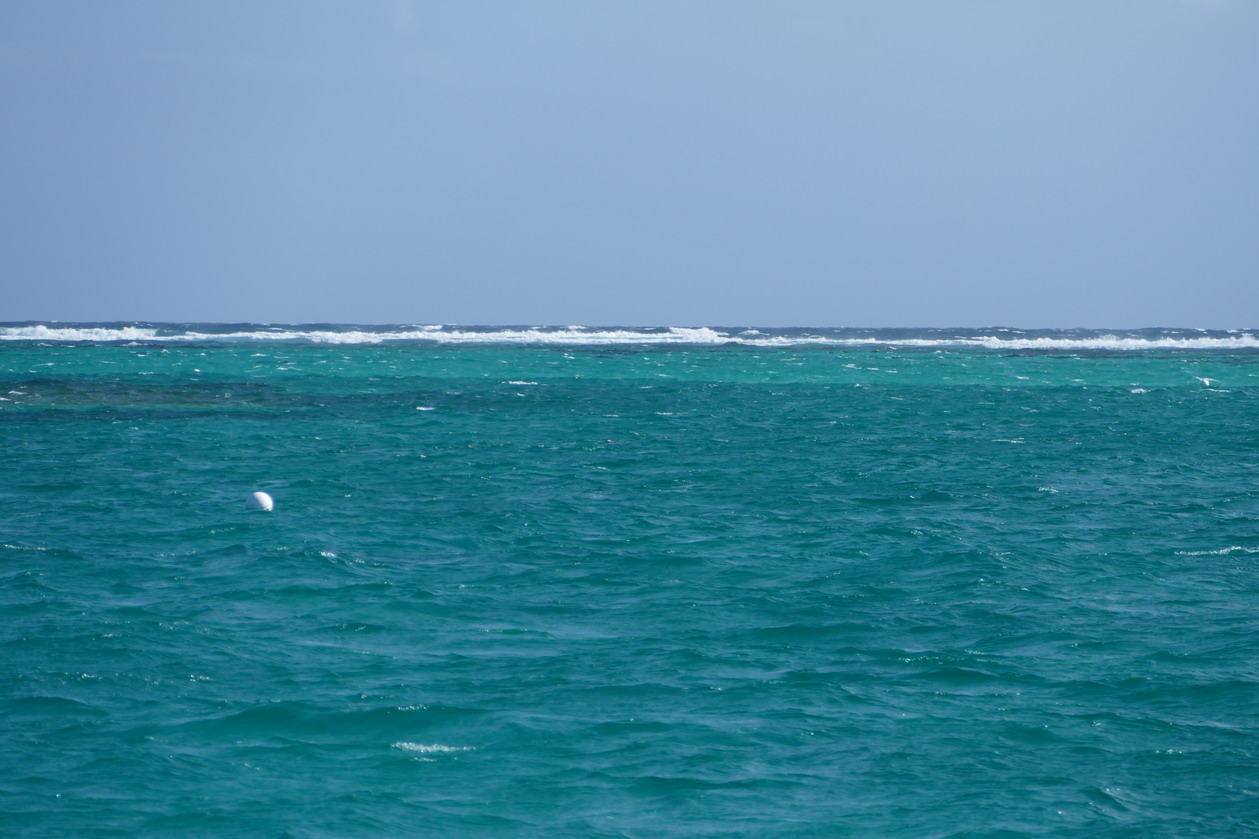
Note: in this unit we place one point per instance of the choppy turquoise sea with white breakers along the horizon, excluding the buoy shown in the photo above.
(629, 583)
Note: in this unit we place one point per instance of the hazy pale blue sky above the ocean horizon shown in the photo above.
(788, 163)
